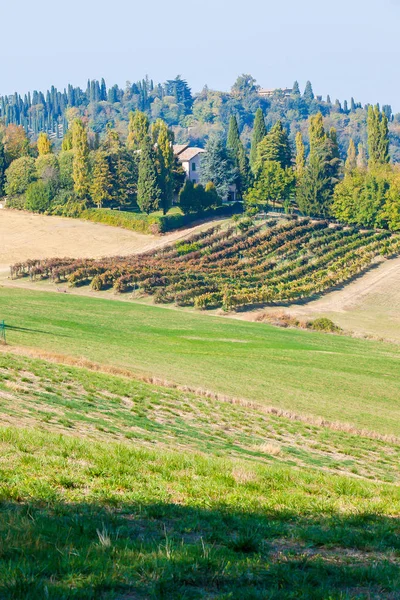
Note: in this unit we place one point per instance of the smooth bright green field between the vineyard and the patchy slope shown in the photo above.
(335, 377)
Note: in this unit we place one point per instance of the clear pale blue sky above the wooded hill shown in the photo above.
(345, 48)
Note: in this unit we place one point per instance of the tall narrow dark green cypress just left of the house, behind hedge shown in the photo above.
(149, 193)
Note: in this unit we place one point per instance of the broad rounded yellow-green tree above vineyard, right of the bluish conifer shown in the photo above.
(273, 183)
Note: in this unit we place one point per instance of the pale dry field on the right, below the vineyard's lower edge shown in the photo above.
(369, 305)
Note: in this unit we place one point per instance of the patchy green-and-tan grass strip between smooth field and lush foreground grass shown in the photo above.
(80, 402)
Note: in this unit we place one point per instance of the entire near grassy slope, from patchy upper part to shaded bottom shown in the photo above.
(112, 488)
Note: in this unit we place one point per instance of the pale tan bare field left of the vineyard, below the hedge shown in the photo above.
(26, 235)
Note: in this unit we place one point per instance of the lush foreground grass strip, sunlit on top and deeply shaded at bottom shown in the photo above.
(88, 520)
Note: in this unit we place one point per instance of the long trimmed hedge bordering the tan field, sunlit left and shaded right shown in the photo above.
(155, 223)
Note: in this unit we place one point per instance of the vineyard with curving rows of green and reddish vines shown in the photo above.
(229, 268)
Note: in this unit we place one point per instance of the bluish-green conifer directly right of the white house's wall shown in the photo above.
(217, 165)
